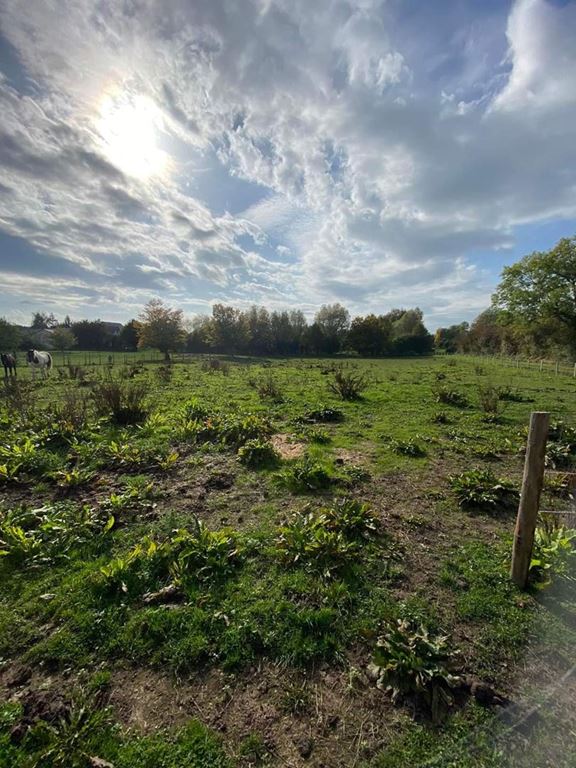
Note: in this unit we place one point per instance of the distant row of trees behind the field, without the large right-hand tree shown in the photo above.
(228, 330)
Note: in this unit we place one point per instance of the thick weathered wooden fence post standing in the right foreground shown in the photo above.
(529, 498)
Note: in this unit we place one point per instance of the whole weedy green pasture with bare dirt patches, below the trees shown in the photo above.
(222, 574)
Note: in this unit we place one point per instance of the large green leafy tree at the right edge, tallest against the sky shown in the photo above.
(538, 294)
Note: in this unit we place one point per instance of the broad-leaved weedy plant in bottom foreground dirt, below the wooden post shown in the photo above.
(410, 661)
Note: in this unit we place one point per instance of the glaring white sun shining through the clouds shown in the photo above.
(129, 127)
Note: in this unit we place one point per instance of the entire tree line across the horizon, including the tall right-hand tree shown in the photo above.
(533, 313)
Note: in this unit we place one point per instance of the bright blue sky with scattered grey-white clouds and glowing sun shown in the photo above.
(376, 153)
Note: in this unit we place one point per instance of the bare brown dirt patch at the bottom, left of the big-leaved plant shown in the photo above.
(331, 730)
